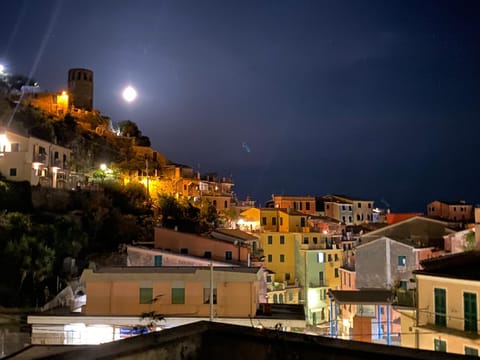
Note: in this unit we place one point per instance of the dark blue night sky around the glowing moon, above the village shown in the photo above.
(372, 99)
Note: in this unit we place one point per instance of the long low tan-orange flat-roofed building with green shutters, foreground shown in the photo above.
(179, 291)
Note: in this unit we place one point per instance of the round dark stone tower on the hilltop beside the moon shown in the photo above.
(80, 87)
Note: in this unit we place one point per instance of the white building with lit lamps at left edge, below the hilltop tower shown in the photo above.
(25, 158)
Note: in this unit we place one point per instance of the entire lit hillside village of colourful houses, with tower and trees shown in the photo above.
(331, 265)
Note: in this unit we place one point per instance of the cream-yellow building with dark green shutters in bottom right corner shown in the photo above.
(446, 316)
